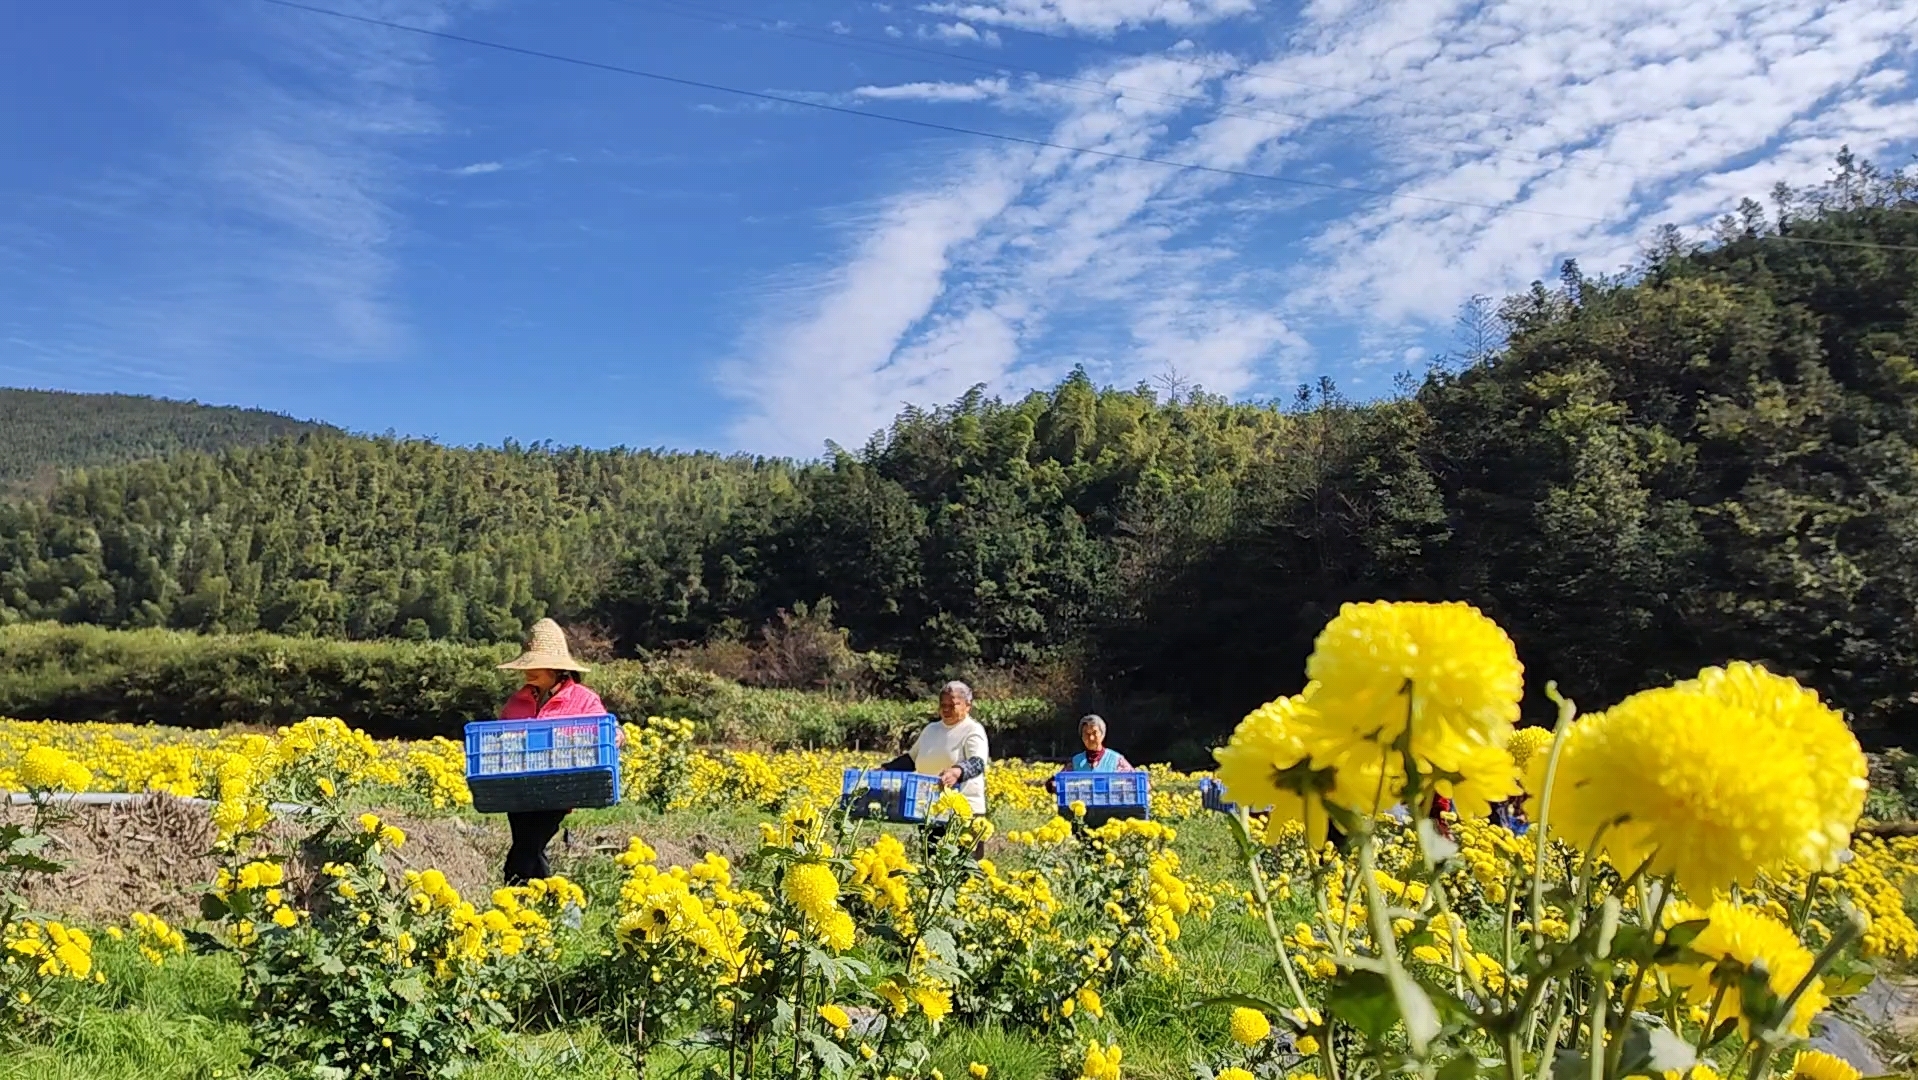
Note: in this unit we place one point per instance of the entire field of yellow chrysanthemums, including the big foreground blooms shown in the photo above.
(1693, 899)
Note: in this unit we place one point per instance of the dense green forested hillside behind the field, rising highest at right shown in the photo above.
(1708, 458)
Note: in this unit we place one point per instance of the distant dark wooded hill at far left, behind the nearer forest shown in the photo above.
(45, 433)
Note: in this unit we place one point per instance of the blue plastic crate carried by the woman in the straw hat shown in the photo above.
(567, 763)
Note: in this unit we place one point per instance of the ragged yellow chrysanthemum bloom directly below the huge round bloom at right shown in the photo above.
(1741, 941)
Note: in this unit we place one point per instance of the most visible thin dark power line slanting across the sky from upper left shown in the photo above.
(920, 124)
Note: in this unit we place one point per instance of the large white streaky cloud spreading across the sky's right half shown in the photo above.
(1518, 135)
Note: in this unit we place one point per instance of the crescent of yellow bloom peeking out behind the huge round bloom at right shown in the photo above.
(1835, 759)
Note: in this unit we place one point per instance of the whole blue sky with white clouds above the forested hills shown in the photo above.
(248, 204)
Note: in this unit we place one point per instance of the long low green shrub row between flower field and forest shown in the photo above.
(417, 690)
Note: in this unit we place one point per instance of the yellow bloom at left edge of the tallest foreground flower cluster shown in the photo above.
(1265, 766)
